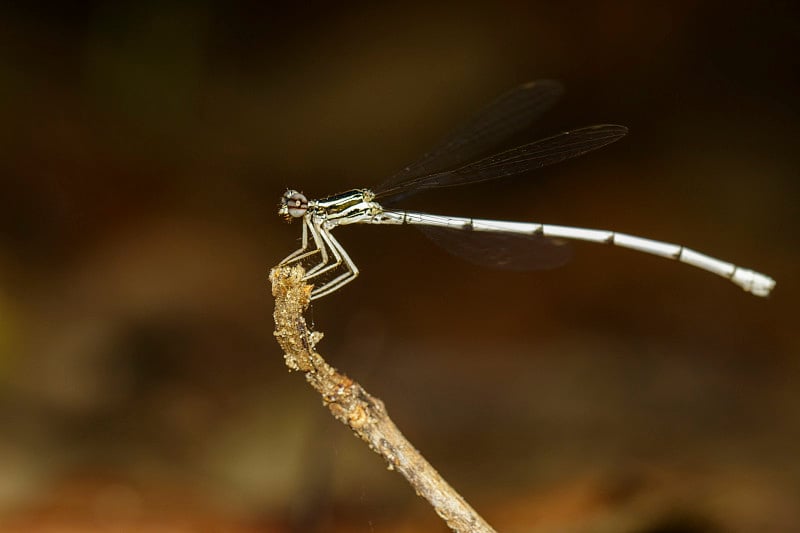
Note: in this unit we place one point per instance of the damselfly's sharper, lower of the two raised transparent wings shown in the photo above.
(514, 161)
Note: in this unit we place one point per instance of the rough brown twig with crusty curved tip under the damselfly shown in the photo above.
(353, 406)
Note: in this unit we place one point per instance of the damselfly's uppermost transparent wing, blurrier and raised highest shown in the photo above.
(510, 113)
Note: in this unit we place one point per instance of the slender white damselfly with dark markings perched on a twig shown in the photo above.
(461, 159)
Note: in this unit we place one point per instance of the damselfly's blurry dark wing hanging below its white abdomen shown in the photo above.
(501, 250)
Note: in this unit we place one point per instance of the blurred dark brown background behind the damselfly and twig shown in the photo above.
(143, 150)
